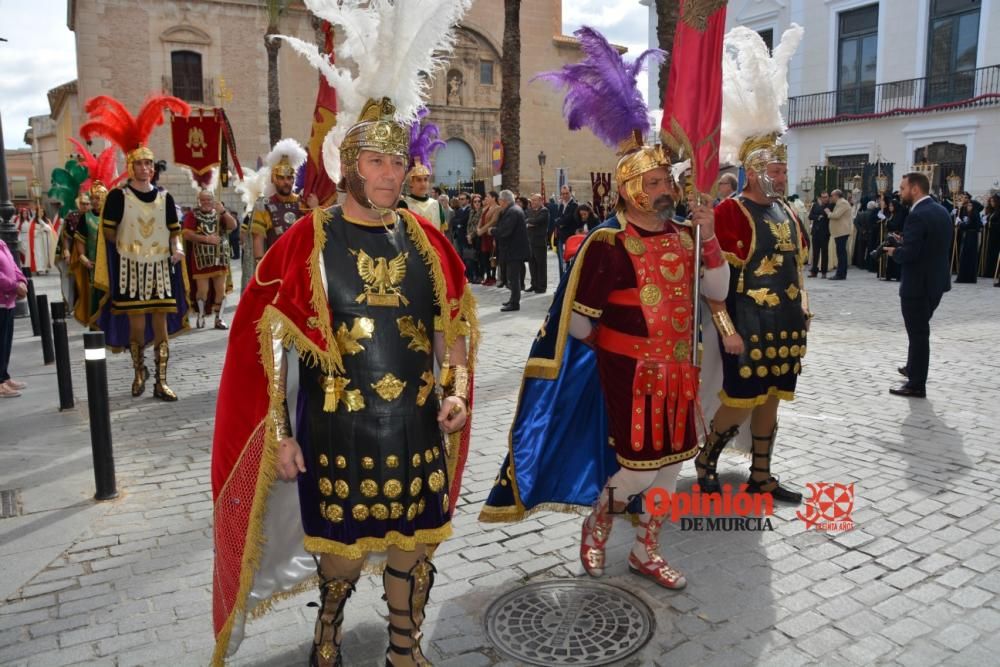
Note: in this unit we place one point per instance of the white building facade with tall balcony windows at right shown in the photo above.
(901, 81)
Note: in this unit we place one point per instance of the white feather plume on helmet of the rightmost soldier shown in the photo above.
(754, 87)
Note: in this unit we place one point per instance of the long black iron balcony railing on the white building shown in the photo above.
(958, 90)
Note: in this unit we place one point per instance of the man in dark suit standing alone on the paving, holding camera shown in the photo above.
(923, 253)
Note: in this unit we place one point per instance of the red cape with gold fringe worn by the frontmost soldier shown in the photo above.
(287, 292)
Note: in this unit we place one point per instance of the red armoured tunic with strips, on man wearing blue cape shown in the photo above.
(638, 285)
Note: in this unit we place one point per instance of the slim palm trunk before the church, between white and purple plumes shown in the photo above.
(510, 95)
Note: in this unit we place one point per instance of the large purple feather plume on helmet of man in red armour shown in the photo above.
(601, 89)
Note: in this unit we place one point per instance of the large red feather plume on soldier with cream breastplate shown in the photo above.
(110, 119)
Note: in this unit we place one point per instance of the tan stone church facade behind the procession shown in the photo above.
(129, 49)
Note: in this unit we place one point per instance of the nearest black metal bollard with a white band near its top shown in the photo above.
(100, 415)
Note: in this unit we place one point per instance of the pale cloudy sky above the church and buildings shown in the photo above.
(39, 52)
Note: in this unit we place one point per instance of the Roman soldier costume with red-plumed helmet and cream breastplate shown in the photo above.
(136, 272)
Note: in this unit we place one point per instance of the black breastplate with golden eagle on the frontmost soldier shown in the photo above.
(382, 301)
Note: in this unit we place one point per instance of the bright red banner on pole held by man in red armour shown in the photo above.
(692, 102)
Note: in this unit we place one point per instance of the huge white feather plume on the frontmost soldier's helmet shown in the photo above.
(387, 45)
